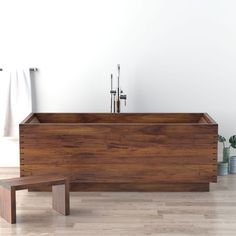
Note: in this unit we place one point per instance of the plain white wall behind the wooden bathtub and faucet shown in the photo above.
(175, 56)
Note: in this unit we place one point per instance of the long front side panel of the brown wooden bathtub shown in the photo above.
(121, 153)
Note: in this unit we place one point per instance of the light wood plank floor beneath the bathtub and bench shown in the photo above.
(105, 213)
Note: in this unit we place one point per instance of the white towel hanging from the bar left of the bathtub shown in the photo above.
(16, 100)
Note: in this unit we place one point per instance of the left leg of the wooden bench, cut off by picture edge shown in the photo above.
(8, 204)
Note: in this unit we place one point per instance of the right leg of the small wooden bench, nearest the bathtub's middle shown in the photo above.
(61, 199)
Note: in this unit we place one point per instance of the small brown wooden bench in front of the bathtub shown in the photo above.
(8, 188)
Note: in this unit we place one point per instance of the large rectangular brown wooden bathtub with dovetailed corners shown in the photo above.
(122, 152)
